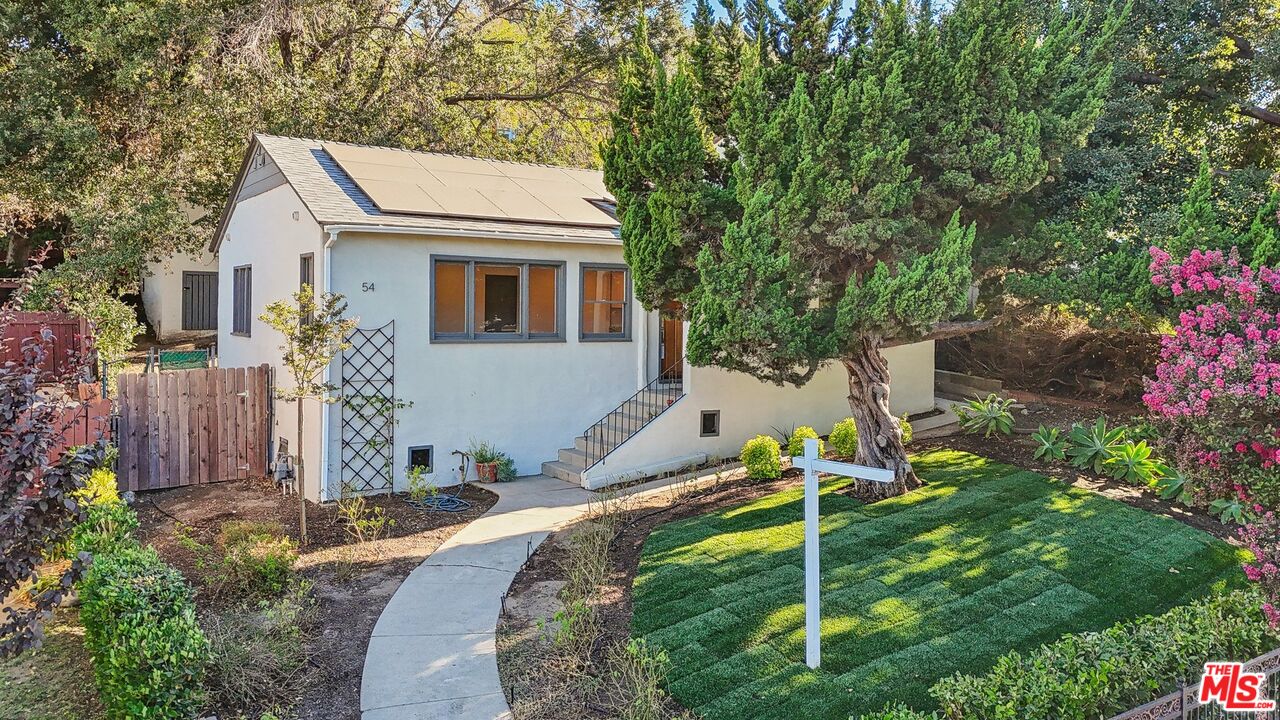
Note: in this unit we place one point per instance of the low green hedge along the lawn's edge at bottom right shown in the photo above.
(1100, 675)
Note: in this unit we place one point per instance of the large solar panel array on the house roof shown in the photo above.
(426, 184)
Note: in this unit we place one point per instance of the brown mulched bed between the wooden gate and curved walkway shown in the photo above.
(351, 586)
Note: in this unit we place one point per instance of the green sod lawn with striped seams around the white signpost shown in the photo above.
(986, 559)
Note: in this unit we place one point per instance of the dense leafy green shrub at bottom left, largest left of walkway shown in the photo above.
(140, 630)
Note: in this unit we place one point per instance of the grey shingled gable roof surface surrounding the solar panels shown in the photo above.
(336, 199)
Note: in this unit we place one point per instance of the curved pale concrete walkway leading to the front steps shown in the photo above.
(433, 654)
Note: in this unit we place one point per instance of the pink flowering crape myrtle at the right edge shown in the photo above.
(1217, 394)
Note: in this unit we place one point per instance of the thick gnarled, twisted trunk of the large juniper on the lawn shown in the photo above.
(880, 438)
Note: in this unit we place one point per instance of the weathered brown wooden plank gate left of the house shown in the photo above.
(193, 427)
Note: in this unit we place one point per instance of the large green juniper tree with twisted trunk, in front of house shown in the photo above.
(836, 209)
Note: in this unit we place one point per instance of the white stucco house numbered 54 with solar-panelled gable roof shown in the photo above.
(493, 306)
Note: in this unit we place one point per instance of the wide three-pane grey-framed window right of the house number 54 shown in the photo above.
(497, 300)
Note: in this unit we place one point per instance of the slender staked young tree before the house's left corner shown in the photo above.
(316, 332)
